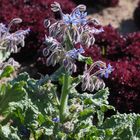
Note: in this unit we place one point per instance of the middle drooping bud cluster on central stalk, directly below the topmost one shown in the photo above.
(58, 54)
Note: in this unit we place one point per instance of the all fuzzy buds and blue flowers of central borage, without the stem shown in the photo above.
(74, 29)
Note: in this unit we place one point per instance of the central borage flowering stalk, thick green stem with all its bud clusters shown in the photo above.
(63, 36)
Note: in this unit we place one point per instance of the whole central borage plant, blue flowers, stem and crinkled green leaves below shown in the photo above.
(54, 107)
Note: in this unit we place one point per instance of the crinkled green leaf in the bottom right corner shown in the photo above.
(123, 126)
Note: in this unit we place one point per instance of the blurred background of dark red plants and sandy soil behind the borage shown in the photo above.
(119, 44)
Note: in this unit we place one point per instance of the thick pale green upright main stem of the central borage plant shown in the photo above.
(64, 96)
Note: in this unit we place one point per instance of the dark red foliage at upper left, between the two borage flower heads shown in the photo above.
(33, 14)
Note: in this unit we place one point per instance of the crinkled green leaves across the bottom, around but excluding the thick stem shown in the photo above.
(34, 103)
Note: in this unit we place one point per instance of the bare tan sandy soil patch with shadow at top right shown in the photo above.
(120, 17)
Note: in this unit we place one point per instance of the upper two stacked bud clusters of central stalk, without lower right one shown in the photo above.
(71, 29)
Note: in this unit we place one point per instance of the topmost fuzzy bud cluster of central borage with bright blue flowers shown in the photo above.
(74, 25)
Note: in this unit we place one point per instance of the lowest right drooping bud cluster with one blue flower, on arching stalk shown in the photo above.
(93, 81)
